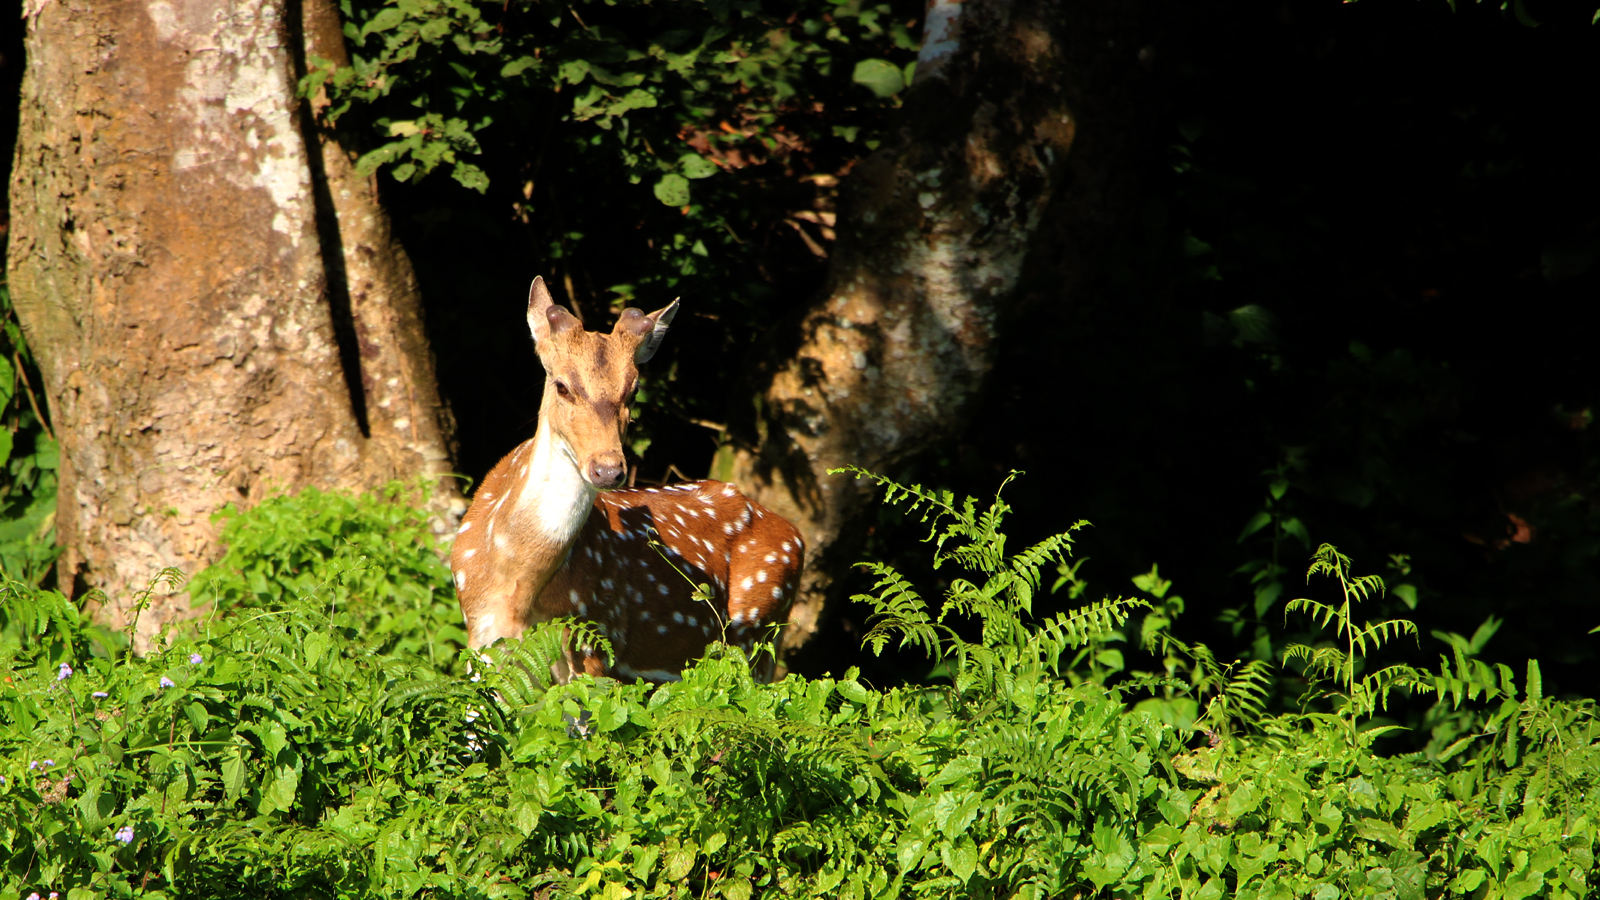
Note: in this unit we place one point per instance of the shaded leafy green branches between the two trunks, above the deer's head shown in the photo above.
(674, 110)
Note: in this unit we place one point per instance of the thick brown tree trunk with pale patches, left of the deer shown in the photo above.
(217, 303)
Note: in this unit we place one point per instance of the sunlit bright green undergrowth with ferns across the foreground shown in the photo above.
(286, 750)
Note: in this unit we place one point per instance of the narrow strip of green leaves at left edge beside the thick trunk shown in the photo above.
(28, 460)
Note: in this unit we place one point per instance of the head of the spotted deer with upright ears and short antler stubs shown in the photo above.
(590, 380)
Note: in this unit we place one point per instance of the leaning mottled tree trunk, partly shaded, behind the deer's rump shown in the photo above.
(934, 236)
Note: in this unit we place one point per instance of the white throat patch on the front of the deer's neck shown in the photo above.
(553, 502)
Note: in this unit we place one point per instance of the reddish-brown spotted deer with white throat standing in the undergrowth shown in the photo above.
(553, 534)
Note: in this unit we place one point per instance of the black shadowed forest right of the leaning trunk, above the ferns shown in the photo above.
(1364, 260)
